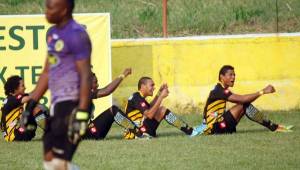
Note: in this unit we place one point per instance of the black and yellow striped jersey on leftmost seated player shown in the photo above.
(11, 113)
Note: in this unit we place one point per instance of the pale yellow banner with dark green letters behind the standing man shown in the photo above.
(23, 50)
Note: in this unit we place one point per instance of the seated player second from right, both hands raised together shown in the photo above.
(149, 115)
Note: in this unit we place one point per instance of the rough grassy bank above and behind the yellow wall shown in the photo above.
(142, 18)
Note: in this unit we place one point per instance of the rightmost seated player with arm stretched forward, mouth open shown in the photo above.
(220, 121)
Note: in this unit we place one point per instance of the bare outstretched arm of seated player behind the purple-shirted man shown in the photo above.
(111, 87)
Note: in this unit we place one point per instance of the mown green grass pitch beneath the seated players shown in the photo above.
(253, 147)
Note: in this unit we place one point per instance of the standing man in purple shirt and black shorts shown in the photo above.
(67, 74)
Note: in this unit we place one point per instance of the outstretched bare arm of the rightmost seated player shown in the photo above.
(248, 98)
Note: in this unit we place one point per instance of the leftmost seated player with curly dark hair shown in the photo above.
(12, 110)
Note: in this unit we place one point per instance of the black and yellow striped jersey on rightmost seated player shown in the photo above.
(215, 106)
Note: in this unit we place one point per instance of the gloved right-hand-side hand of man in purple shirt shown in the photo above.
(77, 125)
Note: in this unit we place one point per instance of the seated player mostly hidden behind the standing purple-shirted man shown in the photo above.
(99, 127)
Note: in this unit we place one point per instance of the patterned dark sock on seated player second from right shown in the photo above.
(173, 120)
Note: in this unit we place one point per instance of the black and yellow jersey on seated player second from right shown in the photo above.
(135, 107)
